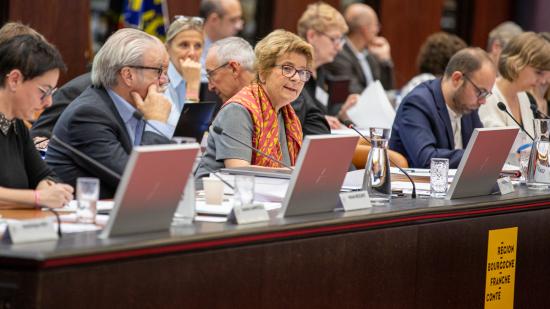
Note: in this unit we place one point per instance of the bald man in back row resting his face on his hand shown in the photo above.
(365, 57)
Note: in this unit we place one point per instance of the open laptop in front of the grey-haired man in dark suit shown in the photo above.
(150, 189)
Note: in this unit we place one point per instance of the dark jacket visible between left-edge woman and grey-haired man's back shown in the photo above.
(43, 126)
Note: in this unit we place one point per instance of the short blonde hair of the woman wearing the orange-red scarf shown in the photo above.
(277, 44)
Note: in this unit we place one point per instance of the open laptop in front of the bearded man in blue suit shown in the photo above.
(482, 162)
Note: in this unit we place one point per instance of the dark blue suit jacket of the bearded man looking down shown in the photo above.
(422, 127)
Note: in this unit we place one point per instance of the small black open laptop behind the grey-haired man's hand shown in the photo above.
(195, 119)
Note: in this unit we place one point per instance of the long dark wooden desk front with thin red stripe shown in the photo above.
(414, 254)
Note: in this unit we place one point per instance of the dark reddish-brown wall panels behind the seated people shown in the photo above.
(405, 24)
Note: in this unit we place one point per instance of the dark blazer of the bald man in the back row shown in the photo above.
(346, 65)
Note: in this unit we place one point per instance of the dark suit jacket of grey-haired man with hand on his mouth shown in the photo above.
(91, 124)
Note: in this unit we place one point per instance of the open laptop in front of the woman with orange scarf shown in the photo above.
(317, 178)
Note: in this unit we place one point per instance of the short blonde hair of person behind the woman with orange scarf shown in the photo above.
(321, 17)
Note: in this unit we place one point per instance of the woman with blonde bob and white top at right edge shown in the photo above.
(524, 63)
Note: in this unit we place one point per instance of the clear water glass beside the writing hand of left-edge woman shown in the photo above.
(87, 194)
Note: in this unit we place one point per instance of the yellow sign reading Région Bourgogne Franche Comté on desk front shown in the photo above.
(501, 268)
